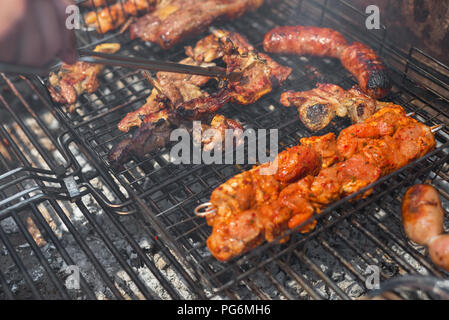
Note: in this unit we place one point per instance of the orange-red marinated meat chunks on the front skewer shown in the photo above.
(299, 200)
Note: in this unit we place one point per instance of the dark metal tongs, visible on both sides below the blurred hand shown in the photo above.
(132, 63)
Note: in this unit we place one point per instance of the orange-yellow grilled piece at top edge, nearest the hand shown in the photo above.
(115, 15)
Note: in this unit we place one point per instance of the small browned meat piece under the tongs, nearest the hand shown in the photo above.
(72, 80)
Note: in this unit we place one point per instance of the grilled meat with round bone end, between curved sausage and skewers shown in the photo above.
(319, 106)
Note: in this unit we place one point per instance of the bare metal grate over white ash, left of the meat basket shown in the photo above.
(43, 234)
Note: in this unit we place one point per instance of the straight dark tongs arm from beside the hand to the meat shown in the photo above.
(154, 65)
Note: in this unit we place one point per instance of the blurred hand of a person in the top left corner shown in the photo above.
(33, 32)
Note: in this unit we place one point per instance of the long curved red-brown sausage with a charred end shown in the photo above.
(362, 62)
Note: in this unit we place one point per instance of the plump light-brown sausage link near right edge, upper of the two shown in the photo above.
(422, 214)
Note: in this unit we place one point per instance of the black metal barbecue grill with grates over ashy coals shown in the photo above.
(132, 233)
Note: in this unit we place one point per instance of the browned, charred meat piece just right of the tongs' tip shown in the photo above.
(261, 74)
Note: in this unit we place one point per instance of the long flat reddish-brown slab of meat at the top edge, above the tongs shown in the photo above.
(176, 20)
